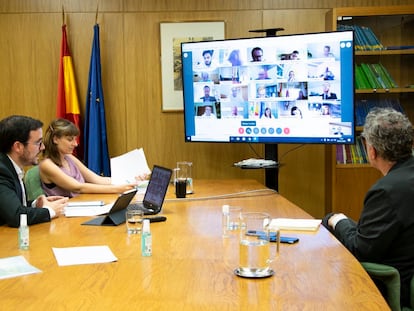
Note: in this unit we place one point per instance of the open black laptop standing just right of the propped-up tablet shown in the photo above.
(156, 191)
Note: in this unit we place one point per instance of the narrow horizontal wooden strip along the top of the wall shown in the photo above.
(54, 6)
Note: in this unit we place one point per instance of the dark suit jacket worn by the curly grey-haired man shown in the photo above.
(385, 231)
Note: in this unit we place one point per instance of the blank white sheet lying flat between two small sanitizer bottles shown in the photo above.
(69, 256)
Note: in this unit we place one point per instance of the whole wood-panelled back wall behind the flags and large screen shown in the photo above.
(130, 52)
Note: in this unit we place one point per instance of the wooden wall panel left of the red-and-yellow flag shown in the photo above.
(27, 57)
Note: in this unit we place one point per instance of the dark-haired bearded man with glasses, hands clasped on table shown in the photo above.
(20, 145)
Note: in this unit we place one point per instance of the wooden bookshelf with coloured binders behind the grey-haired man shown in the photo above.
(347, 182)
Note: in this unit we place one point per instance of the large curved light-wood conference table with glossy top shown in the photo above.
(192, 265)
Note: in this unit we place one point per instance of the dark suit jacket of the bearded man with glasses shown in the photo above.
(11, 198)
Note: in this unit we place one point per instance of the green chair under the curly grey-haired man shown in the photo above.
(390, 278)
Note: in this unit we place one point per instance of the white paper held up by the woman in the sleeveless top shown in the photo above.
(127, 166)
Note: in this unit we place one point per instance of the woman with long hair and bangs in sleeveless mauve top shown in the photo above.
(61, 173)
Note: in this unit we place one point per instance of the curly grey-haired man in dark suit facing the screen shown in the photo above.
(385, 231)
